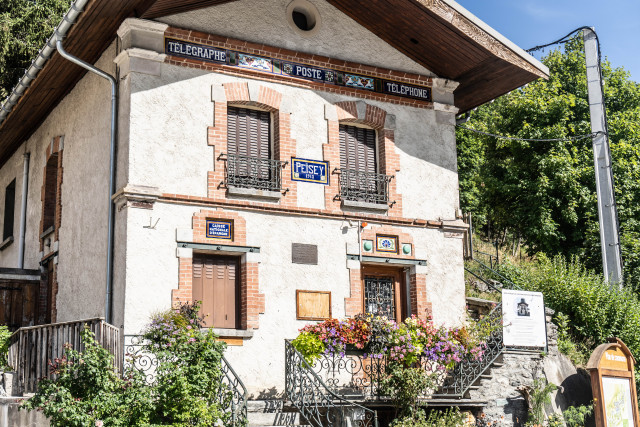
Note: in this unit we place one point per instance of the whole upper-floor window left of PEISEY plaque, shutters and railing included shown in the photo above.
(249, 151)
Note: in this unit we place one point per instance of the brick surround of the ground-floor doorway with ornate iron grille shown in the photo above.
(420, 305)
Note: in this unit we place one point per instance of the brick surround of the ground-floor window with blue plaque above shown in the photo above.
(251, 301)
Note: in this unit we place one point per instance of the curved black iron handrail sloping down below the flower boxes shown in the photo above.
(315, 400)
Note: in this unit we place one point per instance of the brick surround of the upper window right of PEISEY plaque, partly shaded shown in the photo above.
(363, 114)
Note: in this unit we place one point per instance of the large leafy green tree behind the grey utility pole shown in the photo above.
(544, 192)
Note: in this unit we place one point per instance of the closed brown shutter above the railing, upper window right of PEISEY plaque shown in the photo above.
(358, 148)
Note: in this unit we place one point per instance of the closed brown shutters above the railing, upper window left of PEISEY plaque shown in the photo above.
(249, 132)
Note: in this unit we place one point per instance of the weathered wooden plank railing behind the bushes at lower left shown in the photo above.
(32, 348)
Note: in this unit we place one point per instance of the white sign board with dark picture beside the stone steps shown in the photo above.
(523, 319)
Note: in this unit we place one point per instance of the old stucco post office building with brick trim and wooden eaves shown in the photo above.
(279, 160)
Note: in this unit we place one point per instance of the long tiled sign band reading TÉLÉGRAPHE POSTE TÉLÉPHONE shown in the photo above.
(291, 69)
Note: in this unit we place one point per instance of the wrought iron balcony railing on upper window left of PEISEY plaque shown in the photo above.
(253, 172)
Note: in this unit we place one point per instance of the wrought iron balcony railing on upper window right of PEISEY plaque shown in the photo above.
(359, 186)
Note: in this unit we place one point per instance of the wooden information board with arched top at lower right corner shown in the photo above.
(613, 385)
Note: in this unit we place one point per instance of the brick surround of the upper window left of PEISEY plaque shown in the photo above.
(263, 98)
